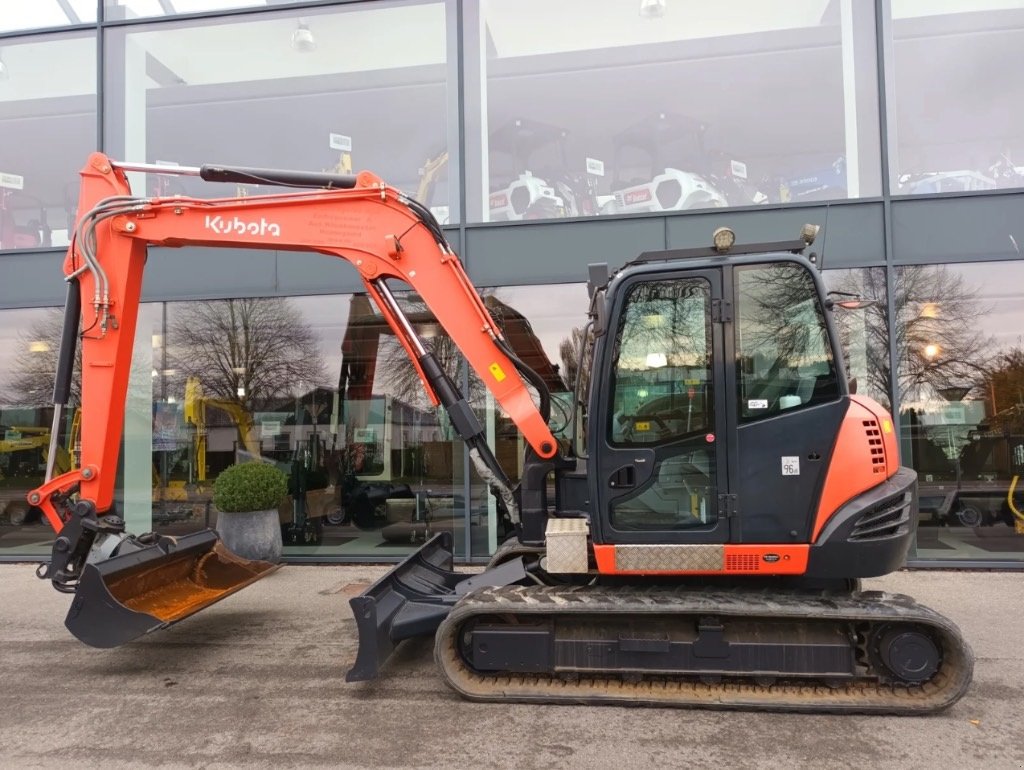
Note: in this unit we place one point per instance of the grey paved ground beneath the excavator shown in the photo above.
(259, 681)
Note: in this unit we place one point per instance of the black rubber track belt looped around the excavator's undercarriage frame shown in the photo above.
(865, 696)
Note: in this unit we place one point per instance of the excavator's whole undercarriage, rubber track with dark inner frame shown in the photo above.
(863, 653)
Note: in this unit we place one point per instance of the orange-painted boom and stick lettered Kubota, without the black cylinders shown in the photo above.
(370, 227)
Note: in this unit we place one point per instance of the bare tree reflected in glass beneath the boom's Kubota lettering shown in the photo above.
(244, 351)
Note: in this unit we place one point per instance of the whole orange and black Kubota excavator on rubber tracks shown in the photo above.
(701, 546)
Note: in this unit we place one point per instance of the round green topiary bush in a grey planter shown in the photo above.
(247, 497)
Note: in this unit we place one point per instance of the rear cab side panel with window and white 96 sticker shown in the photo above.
(791, 400)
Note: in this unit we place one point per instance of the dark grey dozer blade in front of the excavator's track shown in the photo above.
(413, 601)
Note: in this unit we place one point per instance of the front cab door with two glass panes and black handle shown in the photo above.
(661, 475)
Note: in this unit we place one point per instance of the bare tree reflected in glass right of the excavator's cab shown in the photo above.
(937, 332)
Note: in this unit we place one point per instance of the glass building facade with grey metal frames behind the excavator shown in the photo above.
(544, 137)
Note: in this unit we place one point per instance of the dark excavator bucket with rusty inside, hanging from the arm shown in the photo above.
(133, 594)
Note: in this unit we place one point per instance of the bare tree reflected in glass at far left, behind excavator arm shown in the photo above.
(35, 366)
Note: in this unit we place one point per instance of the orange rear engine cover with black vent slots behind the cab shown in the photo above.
(866, 455)
